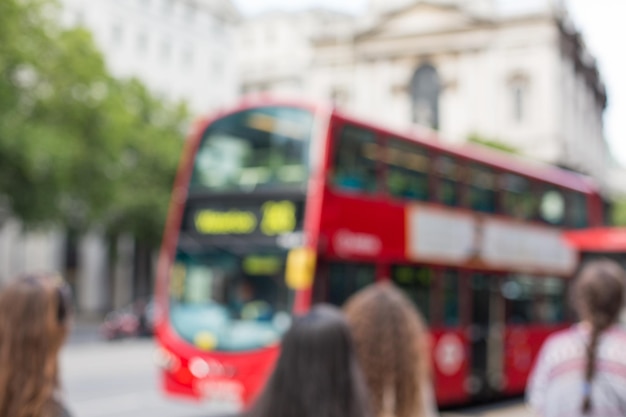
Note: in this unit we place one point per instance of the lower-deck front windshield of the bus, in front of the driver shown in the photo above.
(226, 302)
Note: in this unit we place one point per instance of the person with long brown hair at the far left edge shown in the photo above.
(34, 314)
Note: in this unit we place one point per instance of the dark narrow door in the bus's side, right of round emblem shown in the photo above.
(486, 336)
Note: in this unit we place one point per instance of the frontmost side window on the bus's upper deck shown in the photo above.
(355, 160)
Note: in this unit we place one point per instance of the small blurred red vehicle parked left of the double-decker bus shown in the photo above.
(134, 320)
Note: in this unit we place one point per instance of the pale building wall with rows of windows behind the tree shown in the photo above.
(180, 49)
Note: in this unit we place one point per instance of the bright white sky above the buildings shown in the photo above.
(600, 21)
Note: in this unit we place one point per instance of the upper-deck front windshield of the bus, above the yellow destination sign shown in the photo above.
(264, 147)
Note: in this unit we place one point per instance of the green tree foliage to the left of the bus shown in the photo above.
(78, 146)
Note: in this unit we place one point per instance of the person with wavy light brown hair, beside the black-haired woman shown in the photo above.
(393, 349)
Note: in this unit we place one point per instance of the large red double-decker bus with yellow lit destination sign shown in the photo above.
(279, 205)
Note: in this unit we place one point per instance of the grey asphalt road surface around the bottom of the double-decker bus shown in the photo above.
(119, 379)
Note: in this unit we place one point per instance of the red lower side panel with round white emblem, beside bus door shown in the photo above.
(450, 358)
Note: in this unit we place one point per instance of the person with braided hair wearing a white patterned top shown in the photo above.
(581, 371)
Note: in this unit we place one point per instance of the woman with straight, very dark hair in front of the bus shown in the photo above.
(316, 374)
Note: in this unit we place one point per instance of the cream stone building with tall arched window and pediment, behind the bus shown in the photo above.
(561, 120)
